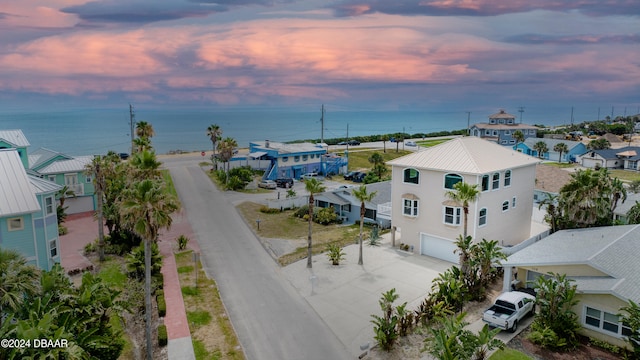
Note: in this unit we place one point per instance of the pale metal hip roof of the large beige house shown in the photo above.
(469, 155)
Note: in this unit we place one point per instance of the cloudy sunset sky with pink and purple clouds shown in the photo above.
(351, 54)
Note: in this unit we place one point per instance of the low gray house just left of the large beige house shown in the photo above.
(348, 207)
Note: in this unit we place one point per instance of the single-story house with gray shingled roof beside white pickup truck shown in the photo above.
(602, 261)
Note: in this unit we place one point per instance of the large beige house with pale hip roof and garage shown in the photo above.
(430, 222)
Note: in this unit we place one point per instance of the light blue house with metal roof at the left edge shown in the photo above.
(28, 221)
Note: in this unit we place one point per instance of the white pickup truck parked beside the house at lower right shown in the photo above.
(509, 308)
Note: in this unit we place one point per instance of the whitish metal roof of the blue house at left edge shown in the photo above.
(16, 194)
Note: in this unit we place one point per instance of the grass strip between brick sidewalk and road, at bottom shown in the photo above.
(211, 331)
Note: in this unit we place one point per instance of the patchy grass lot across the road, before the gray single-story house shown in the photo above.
(284, 225)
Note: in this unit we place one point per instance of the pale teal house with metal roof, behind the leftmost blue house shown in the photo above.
(66, 171)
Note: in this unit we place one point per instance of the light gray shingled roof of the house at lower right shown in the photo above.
(612, 250)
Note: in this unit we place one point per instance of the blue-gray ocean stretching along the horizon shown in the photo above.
(96, 131)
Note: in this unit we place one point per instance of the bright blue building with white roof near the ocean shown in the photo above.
(294, 160)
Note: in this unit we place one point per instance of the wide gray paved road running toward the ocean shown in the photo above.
(271, 319)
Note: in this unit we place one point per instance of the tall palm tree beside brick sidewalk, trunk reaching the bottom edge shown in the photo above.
(146, 208)
